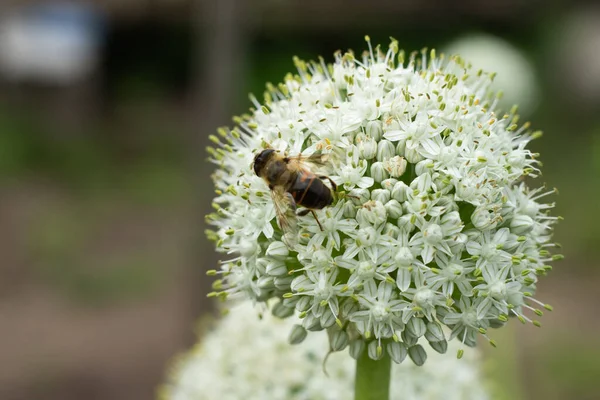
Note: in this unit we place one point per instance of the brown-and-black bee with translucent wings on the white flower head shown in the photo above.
(293, 184)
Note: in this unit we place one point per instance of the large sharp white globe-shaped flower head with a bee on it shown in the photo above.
(436, 227)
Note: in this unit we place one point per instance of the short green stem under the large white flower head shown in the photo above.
(372, 380)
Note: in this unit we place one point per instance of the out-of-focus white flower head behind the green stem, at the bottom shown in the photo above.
(246, 358)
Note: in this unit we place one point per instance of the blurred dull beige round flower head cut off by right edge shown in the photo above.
(578, 57)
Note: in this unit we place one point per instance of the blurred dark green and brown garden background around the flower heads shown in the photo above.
(105, 110)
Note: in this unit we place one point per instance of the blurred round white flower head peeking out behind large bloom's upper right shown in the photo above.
(515, 73)
